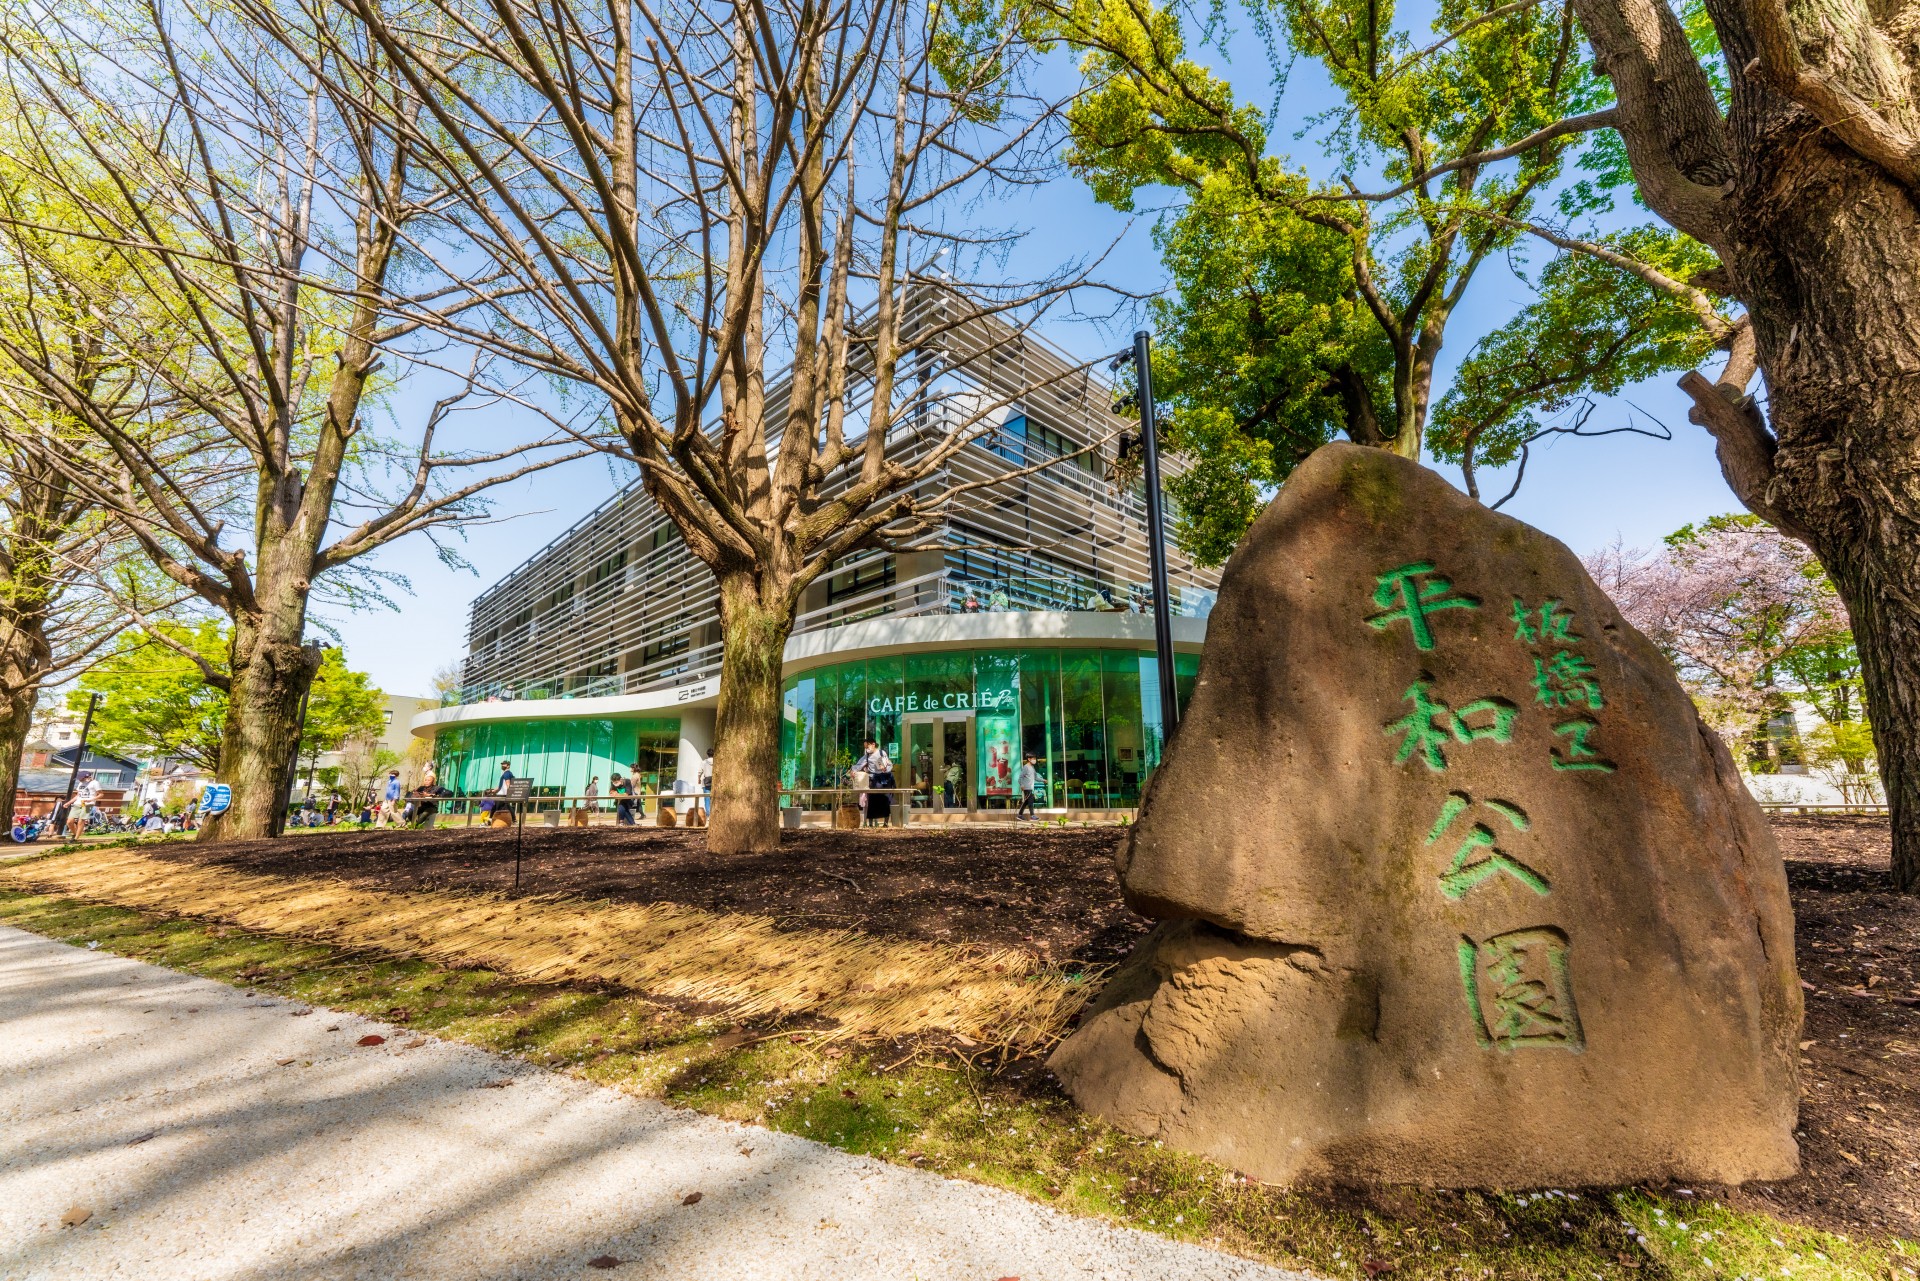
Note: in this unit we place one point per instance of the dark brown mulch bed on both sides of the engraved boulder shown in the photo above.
(1055, 894)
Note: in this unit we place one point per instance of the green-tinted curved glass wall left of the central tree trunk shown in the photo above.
(560, 756)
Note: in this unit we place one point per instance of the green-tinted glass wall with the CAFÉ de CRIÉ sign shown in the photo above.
(1092, 717)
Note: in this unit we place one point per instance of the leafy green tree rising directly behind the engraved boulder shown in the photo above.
(1299, 310)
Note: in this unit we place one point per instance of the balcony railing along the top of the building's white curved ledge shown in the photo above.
(930, 594)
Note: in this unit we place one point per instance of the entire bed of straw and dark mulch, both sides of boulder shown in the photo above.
(974, 936)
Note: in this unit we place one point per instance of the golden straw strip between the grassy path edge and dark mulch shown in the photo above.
(840, 982)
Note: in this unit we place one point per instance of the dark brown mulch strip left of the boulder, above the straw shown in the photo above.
(1045, 890)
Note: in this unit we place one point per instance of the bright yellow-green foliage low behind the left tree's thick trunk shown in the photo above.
(156, 700)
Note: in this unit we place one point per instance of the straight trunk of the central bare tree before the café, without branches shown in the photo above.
(754, 639)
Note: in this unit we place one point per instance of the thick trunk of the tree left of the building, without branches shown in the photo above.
(272, 671)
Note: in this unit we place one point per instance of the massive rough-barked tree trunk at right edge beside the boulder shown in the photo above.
(1827, 256)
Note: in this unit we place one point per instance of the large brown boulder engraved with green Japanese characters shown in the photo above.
(1454, 884)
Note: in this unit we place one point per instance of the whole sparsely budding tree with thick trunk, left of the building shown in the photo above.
(262, 185)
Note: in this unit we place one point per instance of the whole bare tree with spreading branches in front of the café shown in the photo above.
(700, 193)
